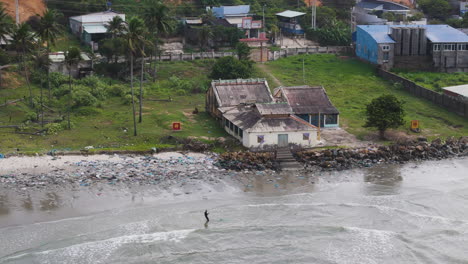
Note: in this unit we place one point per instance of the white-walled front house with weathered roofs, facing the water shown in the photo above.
(248, 111)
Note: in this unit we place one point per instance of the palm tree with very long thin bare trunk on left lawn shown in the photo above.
(134, 39)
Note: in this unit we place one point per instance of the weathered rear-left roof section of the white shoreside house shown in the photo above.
(242, 91)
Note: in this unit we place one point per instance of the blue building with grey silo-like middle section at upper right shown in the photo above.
(438, 47)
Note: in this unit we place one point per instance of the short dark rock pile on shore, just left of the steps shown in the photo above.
(247, 161)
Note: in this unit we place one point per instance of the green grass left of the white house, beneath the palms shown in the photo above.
(106, 128)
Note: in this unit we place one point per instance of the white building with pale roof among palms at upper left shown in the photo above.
(91, 28)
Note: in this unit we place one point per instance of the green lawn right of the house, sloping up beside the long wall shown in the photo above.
(352, 84)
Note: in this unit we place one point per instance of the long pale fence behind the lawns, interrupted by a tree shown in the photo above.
(272, 55)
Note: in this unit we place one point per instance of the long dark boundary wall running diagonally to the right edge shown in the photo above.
(453, 104)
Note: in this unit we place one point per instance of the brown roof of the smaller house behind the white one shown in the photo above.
(307, 100)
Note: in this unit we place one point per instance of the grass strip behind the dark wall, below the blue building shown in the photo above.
(435, 80)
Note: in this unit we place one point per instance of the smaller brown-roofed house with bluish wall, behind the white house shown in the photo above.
(310, 104)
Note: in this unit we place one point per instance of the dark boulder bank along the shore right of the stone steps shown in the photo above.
(340, 159)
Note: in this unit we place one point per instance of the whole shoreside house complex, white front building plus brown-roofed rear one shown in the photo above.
(249, 112)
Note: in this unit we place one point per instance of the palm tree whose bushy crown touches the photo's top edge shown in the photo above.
(157, 18)
